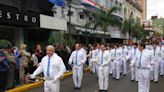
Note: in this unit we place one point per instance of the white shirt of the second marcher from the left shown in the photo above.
(77, 58)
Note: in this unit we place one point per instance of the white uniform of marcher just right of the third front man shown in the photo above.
(116, 57)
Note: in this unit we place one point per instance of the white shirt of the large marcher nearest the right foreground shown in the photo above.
(142, 59)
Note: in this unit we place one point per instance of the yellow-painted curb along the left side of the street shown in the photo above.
(39, 83)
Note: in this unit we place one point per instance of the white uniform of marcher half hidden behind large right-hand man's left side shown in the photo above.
(133, 69)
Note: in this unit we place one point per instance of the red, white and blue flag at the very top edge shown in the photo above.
(89, 3)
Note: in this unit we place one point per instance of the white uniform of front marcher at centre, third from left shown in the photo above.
(103, 70)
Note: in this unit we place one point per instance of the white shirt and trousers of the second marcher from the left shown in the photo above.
(77, 59)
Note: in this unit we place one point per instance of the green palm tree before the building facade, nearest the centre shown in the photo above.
(104, 19)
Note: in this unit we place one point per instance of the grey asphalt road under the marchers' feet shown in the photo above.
(90, 84)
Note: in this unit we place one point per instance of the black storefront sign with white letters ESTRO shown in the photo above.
(13, 16)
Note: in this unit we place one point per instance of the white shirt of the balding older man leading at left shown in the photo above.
(56, 67)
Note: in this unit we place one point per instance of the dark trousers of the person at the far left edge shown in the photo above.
(3, 80)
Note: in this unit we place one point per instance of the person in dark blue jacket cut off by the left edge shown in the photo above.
(4, 66)
